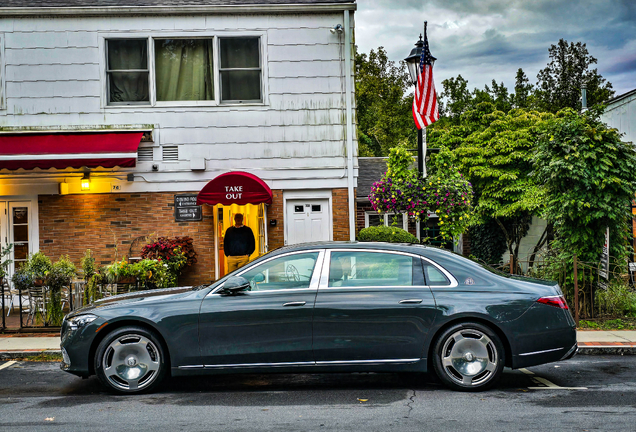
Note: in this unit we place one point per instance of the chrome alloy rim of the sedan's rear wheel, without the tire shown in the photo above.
(469, 357)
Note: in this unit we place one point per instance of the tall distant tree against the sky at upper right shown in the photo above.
(559, 83)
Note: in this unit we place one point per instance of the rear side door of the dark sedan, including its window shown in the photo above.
(372, 306)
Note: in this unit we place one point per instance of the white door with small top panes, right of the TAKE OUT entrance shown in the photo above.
(307, 220)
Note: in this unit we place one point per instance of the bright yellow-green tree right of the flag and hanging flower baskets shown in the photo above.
(494, 149)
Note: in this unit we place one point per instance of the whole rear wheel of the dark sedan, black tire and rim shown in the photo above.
(468, 357)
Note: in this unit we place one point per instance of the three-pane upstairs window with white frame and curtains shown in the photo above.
(183, 70)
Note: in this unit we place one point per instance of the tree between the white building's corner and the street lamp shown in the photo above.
(383, 104)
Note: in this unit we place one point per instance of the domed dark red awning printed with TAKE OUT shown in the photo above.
(236, 187)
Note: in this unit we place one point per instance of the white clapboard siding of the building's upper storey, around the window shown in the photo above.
(54, 72)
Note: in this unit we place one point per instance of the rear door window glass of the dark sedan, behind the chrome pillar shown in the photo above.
(351, 269)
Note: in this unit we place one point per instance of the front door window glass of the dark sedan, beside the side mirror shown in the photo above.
(286, 272)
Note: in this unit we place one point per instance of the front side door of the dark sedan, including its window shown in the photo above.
(268, 324)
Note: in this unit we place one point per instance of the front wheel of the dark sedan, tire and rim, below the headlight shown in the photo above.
(130, 360)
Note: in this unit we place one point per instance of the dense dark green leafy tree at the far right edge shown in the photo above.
(588, 176)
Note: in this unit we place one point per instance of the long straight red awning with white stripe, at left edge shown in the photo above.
(69, 150)
